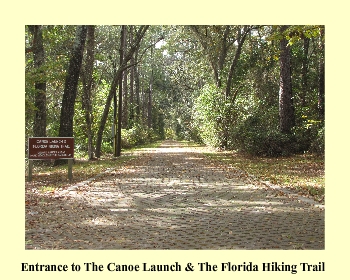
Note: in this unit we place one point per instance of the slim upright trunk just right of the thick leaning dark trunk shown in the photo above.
(87, 86)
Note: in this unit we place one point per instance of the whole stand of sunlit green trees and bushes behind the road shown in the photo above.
(257, 89)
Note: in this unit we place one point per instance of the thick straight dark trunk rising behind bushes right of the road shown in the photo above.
(286, 108)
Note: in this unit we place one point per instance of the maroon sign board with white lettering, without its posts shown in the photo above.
(50, 148)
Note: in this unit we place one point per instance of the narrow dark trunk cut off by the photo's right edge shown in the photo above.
(321, 95)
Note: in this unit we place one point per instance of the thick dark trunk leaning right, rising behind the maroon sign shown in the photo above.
(71, 83)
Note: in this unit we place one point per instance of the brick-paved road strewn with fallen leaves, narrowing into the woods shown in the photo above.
(172, 197)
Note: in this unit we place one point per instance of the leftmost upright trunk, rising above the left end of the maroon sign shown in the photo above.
(39, 127)
